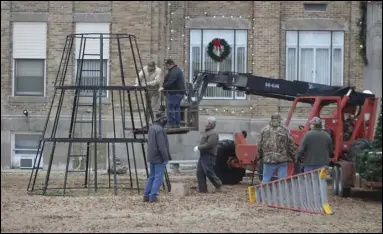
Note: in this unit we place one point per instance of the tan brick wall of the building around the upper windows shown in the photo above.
(160, 28)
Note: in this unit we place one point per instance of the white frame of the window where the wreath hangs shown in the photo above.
(202, 59)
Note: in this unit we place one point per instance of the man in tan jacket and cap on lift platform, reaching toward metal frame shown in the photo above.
(154, 77)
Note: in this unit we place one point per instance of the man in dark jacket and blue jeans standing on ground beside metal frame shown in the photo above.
(158, 156)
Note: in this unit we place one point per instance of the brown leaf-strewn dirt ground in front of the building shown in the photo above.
(228, 211)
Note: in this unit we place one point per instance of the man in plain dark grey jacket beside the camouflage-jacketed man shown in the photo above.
(315, 147)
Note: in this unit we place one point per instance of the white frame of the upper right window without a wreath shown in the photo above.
(298, 48)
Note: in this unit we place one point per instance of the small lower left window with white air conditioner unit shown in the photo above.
(25, 147)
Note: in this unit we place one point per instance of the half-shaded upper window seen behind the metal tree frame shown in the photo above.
(90, 67)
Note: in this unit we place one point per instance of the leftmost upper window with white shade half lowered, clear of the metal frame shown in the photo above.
(29, 55)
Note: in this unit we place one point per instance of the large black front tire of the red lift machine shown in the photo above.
(227, 175)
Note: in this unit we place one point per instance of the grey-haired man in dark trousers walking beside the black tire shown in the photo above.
(208, 151)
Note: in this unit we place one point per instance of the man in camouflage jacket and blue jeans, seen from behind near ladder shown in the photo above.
(276, 149)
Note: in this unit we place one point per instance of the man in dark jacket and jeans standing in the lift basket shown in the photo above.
(175, 88)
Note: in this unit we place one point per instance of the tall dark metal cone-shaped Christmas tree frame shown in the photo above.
(124, 91)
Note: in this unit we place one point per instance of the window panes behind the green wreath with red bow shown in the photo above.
(236, 62)
